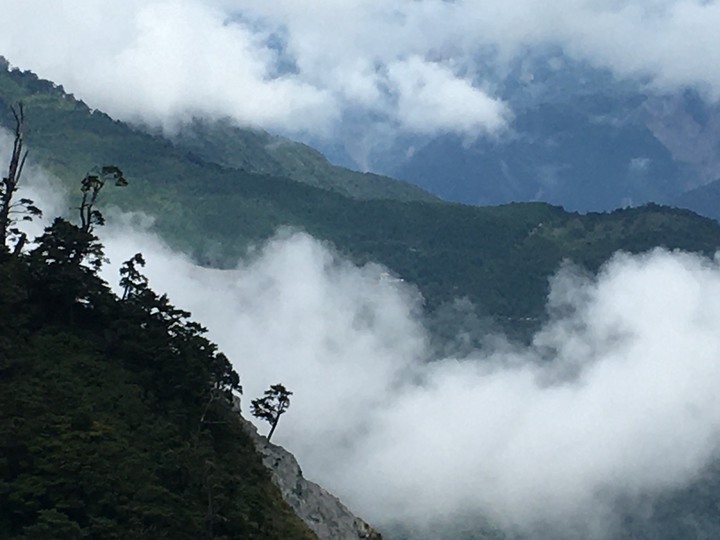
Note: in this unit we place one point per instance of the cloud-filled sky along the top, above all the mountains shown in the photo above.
(412, 66)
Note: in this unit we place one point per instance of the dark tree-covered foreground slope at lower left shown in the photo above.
(117, 415)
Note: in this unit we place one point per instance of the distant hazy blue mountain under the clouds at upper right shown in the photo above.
(579, 138)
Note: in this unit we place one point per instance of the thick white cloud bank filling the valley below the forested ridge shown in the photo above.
(615, 399)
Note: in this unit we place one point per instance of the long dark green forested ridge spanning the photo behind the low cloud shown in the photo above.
(499, 257)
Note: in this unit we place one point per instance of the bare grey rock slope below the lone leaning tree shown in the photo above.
(319, 509)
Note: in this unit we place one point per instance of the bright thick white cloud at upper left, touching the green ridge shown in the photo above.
(163, 62)
